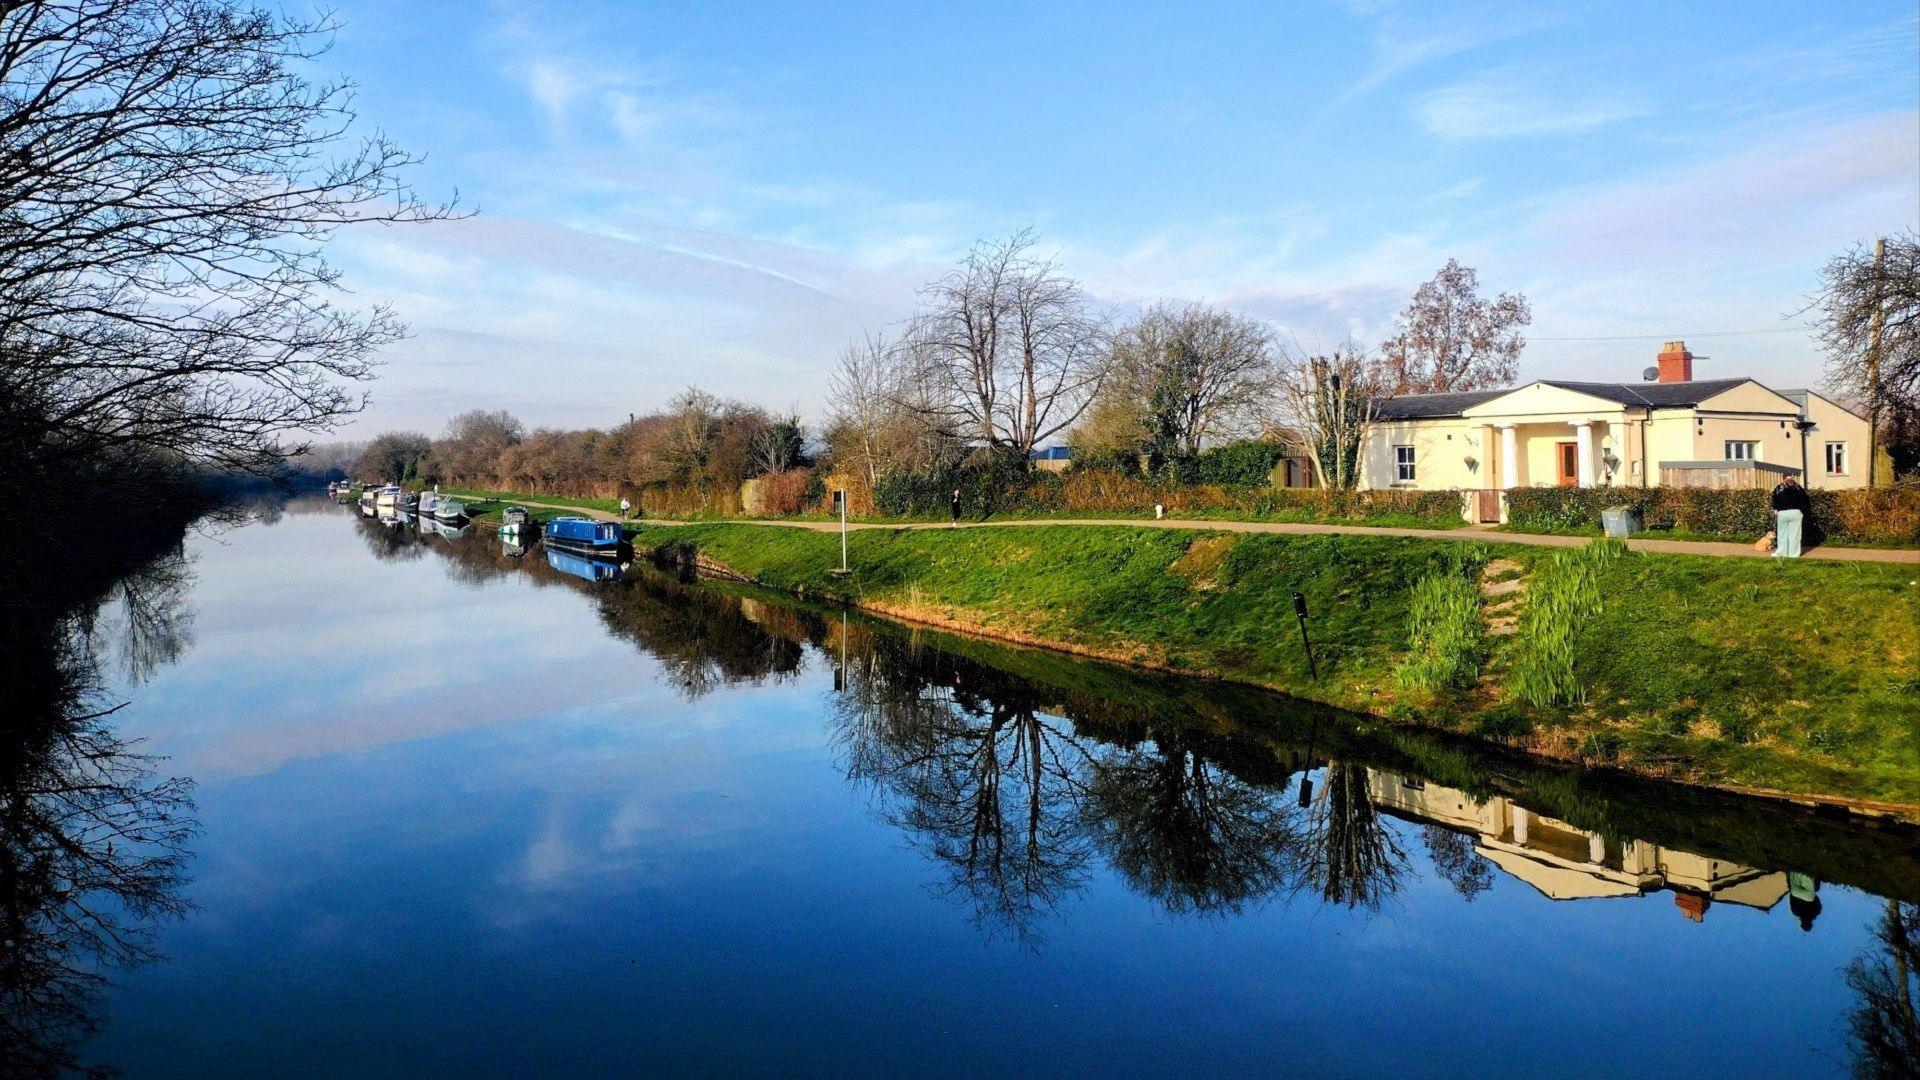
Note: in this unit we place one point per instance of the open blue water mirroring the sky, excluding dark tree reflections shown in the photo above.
(460, 829)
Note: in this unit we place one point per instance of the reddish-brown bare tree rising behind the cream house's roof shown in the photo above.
(1451, 339)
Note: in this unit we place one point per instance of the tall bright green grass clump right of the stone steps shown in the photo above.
(1560, 597)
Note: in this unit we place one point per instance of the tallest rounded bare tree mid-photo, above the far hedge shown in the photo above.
(1007, 349)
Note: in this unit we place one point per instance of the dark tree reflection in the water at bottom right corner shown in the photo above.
(1884, 1027)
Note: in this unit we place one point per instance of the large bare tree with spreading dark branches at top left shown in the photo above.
(168, 182)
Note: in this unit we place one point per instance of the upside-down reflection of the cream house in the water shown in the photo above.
(1573, 864)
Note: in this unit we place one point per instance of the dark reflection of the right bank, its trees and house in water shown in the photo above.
(1017, 772)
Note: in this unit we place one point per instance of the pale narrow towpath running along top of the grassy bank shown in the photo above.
(1301, 529)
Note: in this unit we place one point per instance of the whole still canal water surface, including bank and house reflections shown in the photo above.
(460, 812)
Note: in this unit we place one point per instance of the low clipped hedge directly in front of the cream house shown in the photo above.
(1888, 516)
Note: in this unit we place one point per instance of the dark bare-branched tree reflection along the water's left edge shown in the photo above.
(91, 843)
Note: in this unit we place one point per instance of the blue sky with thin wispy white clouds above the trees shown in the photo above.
(729, 193)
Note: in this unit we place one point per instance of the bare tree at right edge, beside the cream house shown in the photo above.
(1871, 328)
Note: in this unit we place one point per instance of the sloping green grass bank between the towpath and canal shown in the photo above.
(1798, 677)
